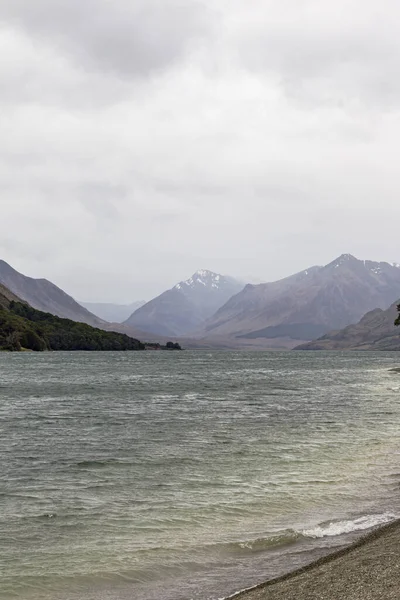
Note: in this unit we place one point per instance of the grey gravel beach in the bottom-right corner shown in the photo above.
(367, 569)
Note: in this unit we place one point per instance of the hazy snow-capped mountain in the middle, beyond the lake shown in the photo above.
(186, 306)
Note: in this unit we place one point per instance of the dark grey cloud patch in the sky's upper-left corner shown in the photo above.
(129, 37)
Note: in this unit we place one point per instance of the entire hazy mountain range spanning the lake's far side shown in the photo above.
(322, 303)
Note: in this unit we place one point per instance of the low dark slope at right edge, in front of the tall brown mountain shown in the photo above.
(375, 331)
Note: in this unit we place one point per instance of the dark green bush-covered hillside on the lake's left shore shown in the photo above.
(23, 327)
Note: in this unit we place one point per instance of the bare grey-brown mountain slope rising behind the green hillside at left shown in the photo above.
(45, 296)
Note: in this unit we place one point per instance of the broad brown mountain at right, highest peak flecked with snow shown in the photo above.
(308, 304)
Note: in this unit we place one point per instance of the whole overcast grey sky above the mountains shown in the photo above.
(142, 140)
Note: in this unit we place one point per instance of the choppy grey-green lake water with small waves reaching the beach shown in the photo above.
(188, 475)
